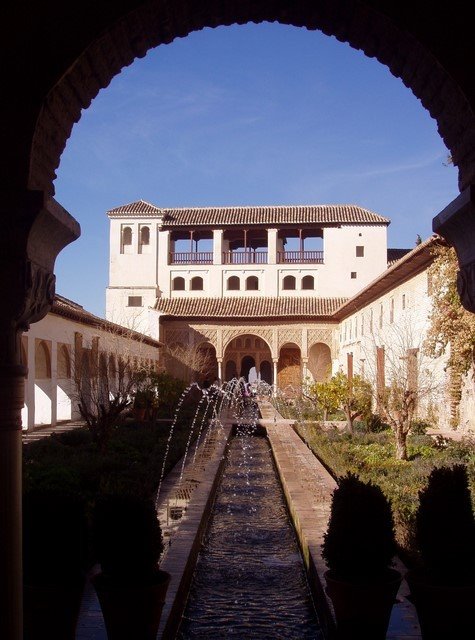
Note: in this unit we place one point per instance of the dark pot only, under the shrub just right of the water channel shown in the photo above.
(363, 609)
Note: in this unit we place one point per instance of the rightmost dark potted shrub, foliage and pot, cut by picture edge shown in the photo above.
(442, 585)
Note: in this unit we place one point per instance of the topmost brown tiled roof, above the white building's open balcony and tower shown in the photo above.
(231, 216)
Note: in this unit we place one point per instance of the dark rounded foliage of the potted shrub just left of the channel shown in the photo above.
(127, 538)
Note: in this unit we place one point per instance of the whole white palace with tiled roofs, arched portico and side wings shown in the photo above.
(284, 294)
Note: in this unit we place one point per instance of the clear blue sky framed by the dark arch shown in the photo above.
(249, 115)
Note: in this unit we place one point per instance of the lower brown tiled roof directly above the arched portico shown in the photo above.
(249, 307)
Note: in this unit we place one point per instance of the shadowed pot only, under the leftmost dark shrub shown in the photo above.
(52, 610)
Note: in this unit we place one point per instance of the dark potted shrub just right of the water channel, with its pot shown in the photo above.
(358, 548)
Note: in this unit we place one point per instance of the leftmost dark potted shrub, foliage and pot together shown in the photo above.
(55, 554)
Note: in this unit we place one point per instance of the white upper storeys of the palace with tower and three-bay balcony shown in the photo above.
(150, 258)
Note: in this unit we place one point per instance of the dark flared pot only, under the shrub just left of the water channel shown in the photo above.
(131, 610)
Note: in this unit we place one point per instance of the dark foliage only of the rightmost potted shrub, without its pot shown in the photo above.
(445, 526)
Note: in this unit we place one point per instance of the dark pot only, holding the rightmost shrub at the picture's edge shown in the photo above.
(444, 611)
